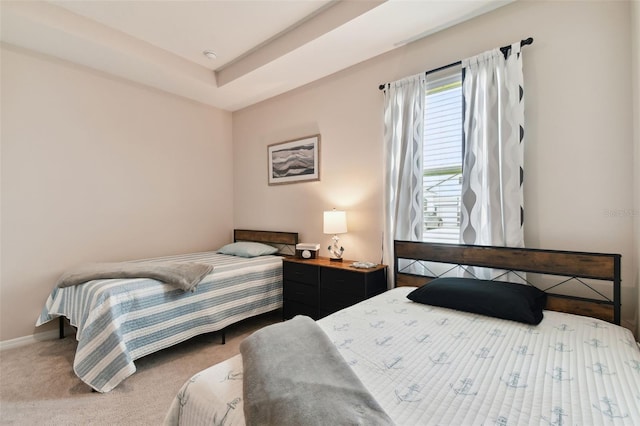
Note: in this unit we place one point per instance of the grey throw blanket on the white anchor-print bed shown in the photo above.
(294, 375)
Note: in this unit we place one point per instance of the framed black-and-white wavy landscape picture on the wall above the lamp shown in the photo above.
(294, 161)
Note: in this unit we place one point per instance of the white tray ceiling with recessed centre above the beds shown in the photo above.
(263, 47)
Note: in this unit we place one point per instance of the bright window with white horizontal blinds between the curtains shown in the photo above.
(442, 165)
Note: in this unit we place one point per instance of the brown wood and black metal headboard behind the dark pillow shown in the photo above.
(579, 265)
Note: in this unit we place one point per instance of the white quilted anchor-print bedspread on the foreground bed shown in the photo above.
(435, 366)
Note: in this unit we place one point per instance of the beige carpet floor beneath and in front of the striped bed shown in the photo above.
(38, 385)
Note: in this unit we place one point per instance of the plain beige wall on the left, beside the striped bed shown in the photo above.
(98, 169)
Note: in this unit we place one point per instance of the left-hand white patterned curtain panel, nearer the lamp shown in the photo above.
(403, 135)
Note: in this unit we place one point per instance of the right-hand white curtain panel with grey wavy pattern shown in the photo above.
(492, 176)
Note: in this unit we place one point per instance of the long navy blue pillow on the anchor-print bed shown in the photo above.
(516, 302)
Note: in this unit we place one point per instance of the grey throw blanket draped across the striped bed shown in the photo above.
(184, 276)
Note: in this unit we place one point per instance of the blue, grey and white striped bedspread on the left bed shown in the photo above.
(121, 320)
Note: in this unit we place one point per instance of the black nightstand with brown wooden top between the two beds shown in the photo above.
(319, 287)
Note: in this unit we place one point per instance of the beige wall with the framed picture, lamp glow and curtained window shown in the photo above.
(579, 152)
